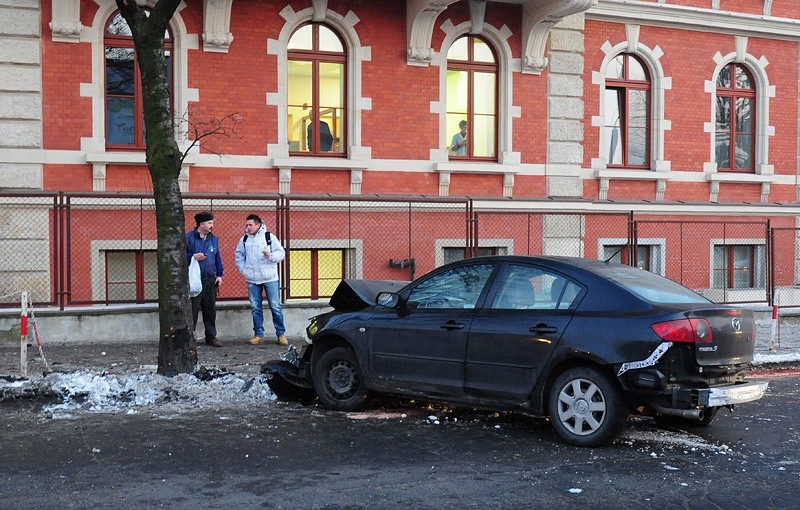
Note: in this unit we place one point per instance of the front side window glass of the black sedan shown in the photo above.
(457, 288)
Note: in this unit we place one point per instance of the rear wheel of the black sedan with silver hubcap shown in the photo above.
(586, 408)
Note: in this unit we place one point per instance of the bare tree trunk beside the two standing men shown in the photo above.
(177, 351)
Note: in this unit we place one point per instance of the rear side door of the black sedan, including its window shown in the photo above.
(514, 335)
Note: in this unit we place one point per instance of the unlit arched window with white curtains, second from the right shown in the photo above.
(627, 112)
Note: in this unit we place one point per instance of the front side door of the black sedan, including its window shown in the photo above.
(420, 345)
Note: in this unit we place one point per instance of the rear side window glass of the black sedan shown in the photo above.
(531, 288)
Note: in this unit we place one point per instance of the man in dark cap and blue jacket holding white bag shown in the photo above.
(203, 246)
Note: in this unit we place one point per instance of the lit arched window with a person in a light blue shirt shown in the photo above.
(472, 99)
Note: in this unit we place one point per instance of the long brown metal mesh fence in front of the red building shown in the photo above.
(71, 249)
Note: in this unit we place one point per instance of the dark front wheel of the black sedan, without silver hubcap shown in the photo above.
(338, 380)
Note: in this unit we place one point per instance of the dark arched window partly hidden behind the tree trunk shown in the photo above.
(123, 85)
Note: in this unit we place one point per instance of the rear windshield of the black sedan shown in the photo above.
(649, 286)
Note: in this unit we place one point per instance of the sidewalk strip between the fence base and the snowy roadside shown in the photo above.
(244, 359)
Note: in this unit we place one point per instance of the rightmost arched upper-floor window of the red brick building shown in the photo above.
(734, 138)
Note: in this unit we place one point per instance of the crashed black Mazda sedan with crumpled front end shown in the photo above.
(582, 341)
